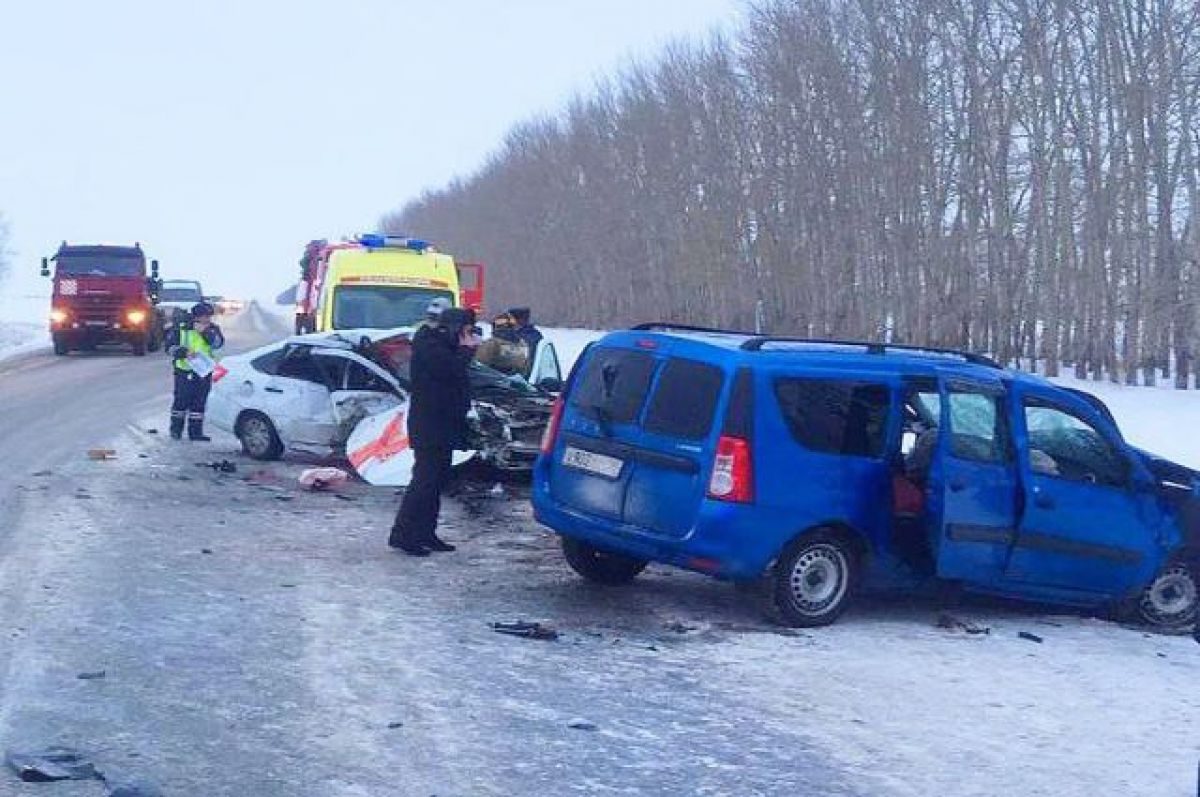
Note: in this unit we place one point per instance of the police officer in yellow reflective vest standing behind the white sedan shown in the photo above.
(194, 380)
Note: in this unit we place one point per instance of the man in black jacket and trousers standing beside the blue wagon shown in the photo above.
(437, 426)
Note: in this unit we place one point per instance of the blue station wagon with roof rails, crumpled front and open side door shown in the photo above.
(818, 468)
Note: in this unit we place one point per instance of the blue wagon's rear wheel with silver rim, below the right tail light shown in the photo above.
(814, 580)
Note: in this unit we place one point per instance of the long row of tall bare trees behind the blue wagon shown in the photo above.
(1013, 177)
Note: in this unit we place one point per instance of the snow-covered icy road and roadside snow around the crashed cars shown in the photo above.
(261, 640)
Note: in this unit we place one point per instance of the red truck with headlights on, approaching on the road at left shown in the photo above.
(103, 295)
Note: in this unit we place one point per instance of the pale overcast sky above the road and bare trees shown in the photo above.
(225, 135)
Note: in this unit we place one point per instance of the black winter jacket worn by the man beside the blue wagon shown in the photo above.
(441, 389)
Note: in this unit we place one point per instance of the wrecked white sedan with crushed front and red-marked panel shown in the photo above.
(345, 393)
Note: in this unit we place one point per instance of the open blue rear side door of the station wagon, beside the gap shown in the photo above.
(974, 487)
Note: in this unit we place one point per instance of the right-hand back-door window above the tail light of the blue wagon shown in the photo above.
(686, 400)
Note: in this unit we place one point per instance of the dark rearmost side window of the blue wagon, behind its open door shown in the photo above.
(836, 417)
